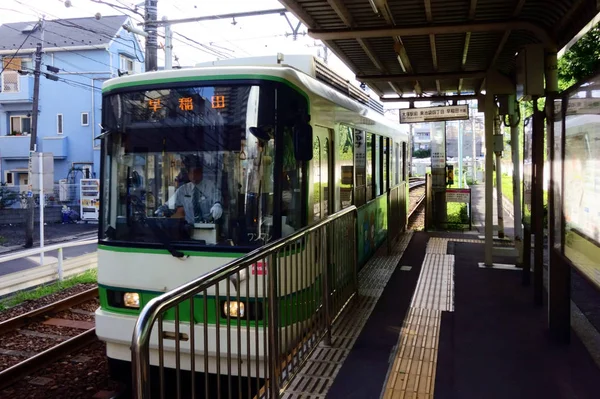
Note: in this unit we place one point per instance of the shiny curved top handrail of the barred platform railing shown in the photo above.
(150, 313)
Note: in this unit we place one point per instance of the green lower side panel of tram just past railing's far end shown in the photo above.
(372, 227)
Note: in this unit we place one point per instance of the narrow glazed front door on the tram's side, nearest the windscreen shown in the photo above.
(322, 169)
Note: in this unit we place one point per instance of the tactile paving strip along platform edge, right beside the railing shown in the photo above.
(318, 373)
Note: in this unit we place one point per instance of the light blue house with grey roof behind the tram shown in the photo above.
(81, 53)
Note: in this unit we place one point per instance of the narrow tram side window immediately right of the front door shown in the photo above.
(344, 167)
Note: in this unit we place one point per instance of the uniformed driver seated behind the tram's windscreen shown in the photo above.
(199, 200)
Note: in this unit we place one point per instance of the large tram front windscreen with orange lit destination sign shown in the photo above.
(190, 166)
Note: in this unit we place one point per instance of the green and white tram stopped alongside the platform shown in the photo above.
(275, 148)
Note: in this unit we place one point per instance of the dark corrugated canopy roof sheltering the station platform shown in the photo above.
(437, 47)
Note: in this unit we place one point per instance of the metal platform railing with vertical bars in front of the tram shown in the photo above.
(254, 320)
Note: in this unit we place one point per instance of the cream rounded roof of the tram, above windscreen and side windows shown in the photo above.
(319, 93)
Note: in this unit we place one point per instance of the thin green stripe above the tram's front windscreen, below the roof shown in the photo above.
(192, 79)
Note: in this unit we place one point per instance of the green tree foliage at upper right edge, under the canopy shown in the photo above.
(581, 60)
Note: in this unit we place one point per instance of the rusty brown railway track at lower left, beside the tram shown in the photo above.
(41, 336)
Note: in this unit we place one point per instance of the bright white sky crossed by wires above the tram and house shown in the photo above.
(249, 36)
